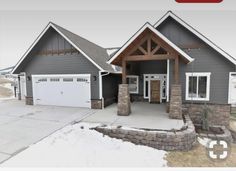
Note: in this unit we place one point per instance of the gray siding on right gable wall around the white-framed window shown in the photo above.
(206, 60)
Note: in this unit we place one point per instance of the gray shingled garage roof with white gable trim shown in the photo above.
(94, 53)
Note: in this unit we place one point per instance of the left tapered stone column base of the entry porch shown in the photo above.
(124, 108)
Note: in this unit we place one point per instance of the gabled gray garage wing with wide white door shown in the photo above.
(63, 69)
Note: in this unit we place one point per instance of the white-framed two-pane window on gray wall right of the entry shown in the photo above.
(198, 86)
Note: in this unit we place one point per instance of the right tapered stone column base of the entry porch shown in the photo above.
(175, 102)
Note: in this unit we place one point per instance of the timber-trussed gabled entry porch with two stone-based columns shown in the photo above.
(149, 48)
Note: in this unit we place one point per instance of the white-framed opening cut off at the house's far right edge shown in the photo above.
(232, 88)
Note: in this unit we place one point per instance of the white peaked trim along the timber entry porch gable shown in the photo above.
(149, 26)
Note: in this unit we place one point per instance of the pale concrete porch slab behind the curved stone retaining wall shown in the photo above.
(144, 115)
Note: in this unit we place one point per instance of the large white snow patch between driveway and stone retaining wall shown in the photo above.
(77, 145)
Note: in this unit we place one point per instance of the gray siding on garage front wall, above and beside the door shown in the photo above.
(68, 63)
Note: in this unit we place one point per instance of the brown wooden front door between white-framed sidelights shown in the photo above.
(155, 91)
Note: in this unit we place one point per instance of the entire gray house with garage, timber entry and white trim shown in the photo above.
(169, 62)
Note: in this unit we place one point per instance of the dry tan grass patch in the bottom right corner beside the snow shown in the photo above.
(197, 157)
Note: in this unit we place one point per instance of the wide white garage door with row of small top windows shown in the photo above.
(62, 90)
